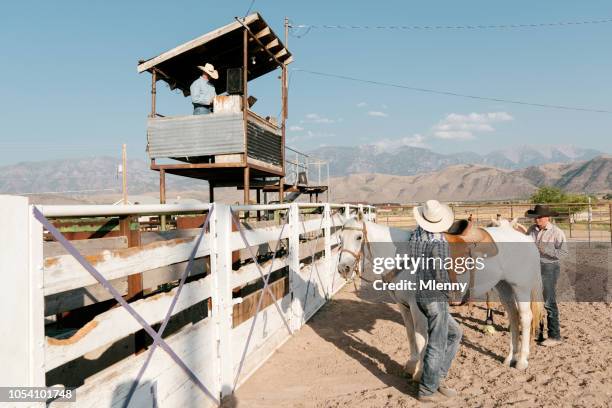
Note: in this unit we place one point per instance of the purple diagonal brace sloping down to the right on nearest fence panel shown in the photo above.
(106, 285)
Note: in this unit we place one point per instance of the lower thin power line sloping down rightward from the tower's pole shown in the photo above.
(448, 93)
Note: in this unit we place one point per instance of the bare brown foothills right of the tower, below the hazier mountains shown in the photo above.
(467, 182)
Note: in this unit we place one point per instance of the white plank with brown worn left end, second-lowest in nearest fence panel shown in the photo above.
(117, 323)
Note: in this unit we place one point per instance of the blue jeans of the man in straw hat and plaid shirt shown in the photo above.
(444, 339)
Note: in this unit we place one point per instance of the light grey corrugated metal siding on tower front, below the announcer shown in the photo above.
(198, 135)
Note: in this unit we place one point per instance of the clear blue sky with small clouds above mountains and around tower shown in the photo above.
(70, 89)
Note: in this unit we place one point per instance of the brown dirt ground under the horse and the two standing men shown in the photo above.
(352, 351)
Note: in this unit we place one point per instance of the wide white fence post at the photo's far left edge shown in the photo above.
(22, 303)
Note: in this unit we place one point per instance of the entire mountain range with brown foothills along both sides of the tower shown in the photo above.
(361, 174)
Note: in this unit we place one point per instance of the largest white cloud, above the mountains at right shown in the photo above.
(464, 127)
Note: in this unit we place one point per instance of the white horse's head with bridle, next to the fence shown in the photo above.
(351, 240)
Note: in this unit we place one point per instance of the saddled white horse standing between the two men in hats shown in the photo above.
(515, 274)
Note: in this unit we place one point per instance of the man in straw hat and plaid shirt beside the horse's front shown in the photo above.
(444, 332)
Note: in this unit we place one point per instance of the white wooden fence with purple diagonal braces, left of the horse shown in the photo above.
(229, 295)
